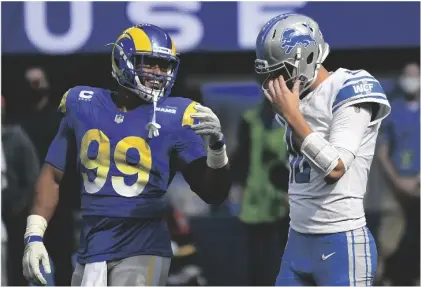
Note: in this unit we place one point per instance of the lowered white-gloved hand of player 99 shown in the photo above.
(35, 253)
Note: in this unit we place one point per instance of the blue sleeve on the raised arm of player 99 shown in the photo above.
(189, 147)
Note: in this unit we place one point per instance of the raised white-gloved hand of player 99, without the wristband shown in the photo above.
(208, 125)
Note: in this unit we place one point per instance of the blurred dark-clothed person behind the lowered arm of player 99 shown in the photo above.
(41, 124)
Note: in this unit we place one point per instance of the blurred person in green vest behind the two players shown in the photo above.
(260, 168)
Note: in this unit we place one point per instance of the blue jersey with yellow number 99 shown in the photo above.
(124, 173)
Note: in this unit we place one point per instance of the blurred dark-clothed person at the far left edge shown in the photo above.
(18, 182)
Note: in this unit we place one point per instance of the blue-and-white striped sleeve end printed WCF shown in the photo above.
(359, 89)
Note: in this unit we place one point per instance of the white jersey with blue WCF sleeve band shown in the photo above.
(316, 207)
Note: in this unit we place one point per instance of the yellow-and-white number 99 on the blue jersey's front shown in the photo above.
(102, 163)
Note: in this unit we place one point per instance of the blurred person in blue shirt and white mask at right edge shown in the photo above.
(399, 155)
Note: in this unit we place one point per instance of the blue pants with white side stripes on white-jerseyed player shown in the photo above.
(344, 258)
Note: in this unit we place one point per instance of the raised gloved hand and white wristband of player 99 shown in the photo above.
(209, 125)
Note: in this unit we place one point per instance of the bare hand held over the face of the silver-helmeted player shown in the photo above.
(285, 101)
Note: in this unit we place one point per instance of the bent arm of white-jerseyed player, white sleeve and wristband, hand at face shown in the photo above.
(326, 154)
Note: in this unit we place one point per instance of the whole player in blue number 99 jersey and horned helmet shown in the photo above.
(130, 143)
